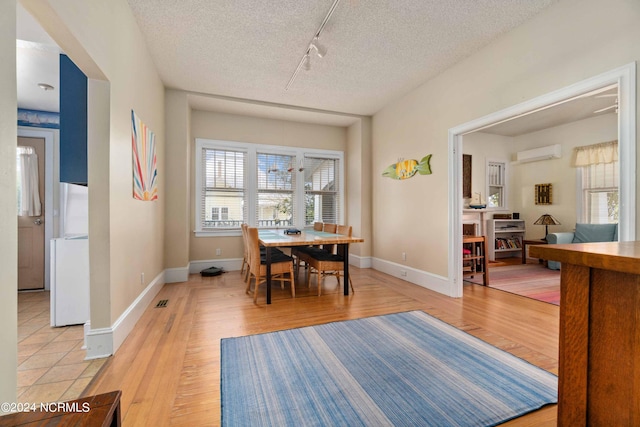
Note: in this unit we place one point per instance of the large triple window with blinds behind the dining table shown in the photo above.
(265, 186)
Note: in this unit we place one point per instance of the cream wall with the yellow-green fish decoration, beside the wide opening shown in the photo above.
(567, 43)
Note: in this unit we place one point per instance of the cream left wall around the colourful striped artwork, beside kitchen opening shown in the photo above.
(103, 39)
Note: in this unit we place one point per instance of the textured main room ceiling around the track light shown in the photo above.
(378, 50)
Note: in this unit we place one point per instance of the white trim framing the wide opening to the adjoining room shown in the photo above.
(625, 78)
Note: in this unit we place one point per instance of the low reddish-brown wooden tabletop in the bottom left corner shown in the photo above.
(102, 410)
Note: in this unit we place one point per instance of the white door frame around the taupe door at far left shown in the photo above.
(49, 137)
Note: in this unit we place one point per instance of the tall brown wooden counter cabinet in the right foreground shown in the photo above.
(599, 360)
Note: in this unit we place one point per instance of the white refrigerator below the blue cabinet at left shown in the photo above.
(70, 260)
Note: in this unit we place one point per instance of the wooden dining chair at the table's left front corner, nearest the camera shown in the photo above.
(281, 264)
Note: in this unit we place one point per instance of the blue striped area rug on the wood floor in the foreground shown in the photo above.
(404, 369)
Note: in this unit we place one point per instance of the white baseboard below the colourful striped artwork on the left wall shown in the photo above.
(104, 342)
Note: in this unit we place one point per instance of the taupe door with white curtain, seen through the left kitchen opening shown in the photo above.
(31, 230)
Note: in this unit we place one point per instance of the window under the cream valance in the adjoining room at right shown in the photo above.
(600, 193)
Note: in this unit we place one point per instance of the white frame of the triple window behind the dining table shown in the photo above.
(251, 150)
